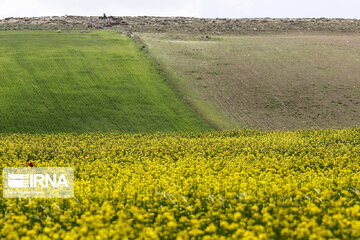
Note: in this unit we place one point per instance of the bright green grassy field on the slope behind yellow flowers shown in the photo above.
(81, 82)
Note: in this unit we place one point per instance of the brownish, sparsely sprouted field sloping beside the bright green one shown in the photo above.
(283, 81)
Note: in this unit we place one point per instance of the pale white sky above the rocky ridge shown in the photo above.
(195, 8)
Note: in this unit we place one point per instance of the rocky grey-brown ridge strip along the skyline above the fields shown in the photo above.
(182, 24)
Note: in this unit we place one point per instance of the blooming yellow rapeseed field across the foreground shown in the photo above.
(217, 185)
